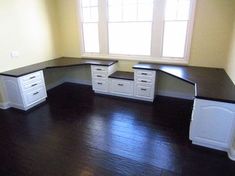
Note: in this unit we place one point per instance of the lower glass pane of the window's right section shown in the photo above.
(174, 39)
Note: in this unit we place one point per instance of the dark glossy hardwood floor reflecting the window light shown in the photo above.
(78, 133)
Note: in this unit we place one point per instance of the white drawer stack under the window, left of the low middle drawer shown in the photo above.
(100, 77)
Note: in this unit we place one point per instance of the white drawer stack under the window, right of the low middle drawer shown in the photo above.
(145, 81)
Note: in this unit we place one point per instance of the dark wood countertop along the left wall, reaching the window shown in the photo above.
(56, 63)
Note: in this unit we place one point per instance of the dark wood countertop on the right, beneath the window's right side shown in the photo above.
(210, 83)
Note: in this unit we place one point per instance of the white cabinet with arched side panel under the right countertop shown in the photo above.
(212, 124)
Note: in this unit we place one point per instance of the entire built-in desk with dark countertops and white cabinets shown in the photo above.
(213, 116)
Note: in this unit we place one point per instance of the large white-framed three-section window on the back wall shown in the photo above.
(146, 29)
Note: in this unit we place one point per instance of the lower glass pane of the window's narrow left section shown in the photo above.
(91, 37)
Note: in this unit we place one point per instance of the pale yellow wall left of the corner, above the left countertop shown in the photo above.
(31, 28)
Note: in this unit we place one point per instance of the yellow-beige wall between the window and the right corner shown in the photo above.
(212, 32)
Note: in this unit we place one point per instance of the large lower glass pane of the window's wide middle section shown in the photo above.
(130, 38)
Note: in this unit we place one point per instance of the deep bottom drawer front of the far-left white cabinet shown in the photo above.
(35, 95)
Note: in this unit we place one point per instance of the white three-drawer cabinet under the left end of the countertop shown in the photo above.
(26, 91)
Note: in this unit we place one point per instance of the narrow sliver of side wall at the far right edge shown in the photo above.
(230, 66)
